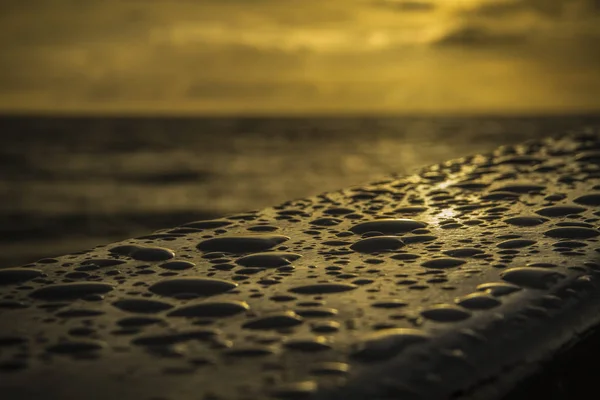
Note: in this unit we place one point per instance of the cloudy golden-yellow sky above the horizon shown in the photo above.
(299, 56)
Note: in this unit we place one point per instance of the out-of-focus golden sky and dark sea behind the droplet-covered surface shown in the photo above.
(121, 117)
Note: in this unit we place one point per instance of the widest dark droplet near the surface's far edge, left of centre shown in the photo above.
(242, 244)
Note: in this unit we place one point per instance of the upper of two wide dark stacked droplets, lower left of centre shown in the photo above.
(192, 285)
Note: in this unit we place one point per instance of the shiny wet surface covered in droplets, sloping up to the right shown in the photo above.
(308, 294)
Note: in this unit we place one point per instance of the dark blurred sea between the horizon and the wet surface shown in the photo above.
(71, 183)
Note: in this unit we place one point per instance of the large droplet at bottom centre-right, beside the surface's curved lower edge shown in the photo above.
(387, 343)
